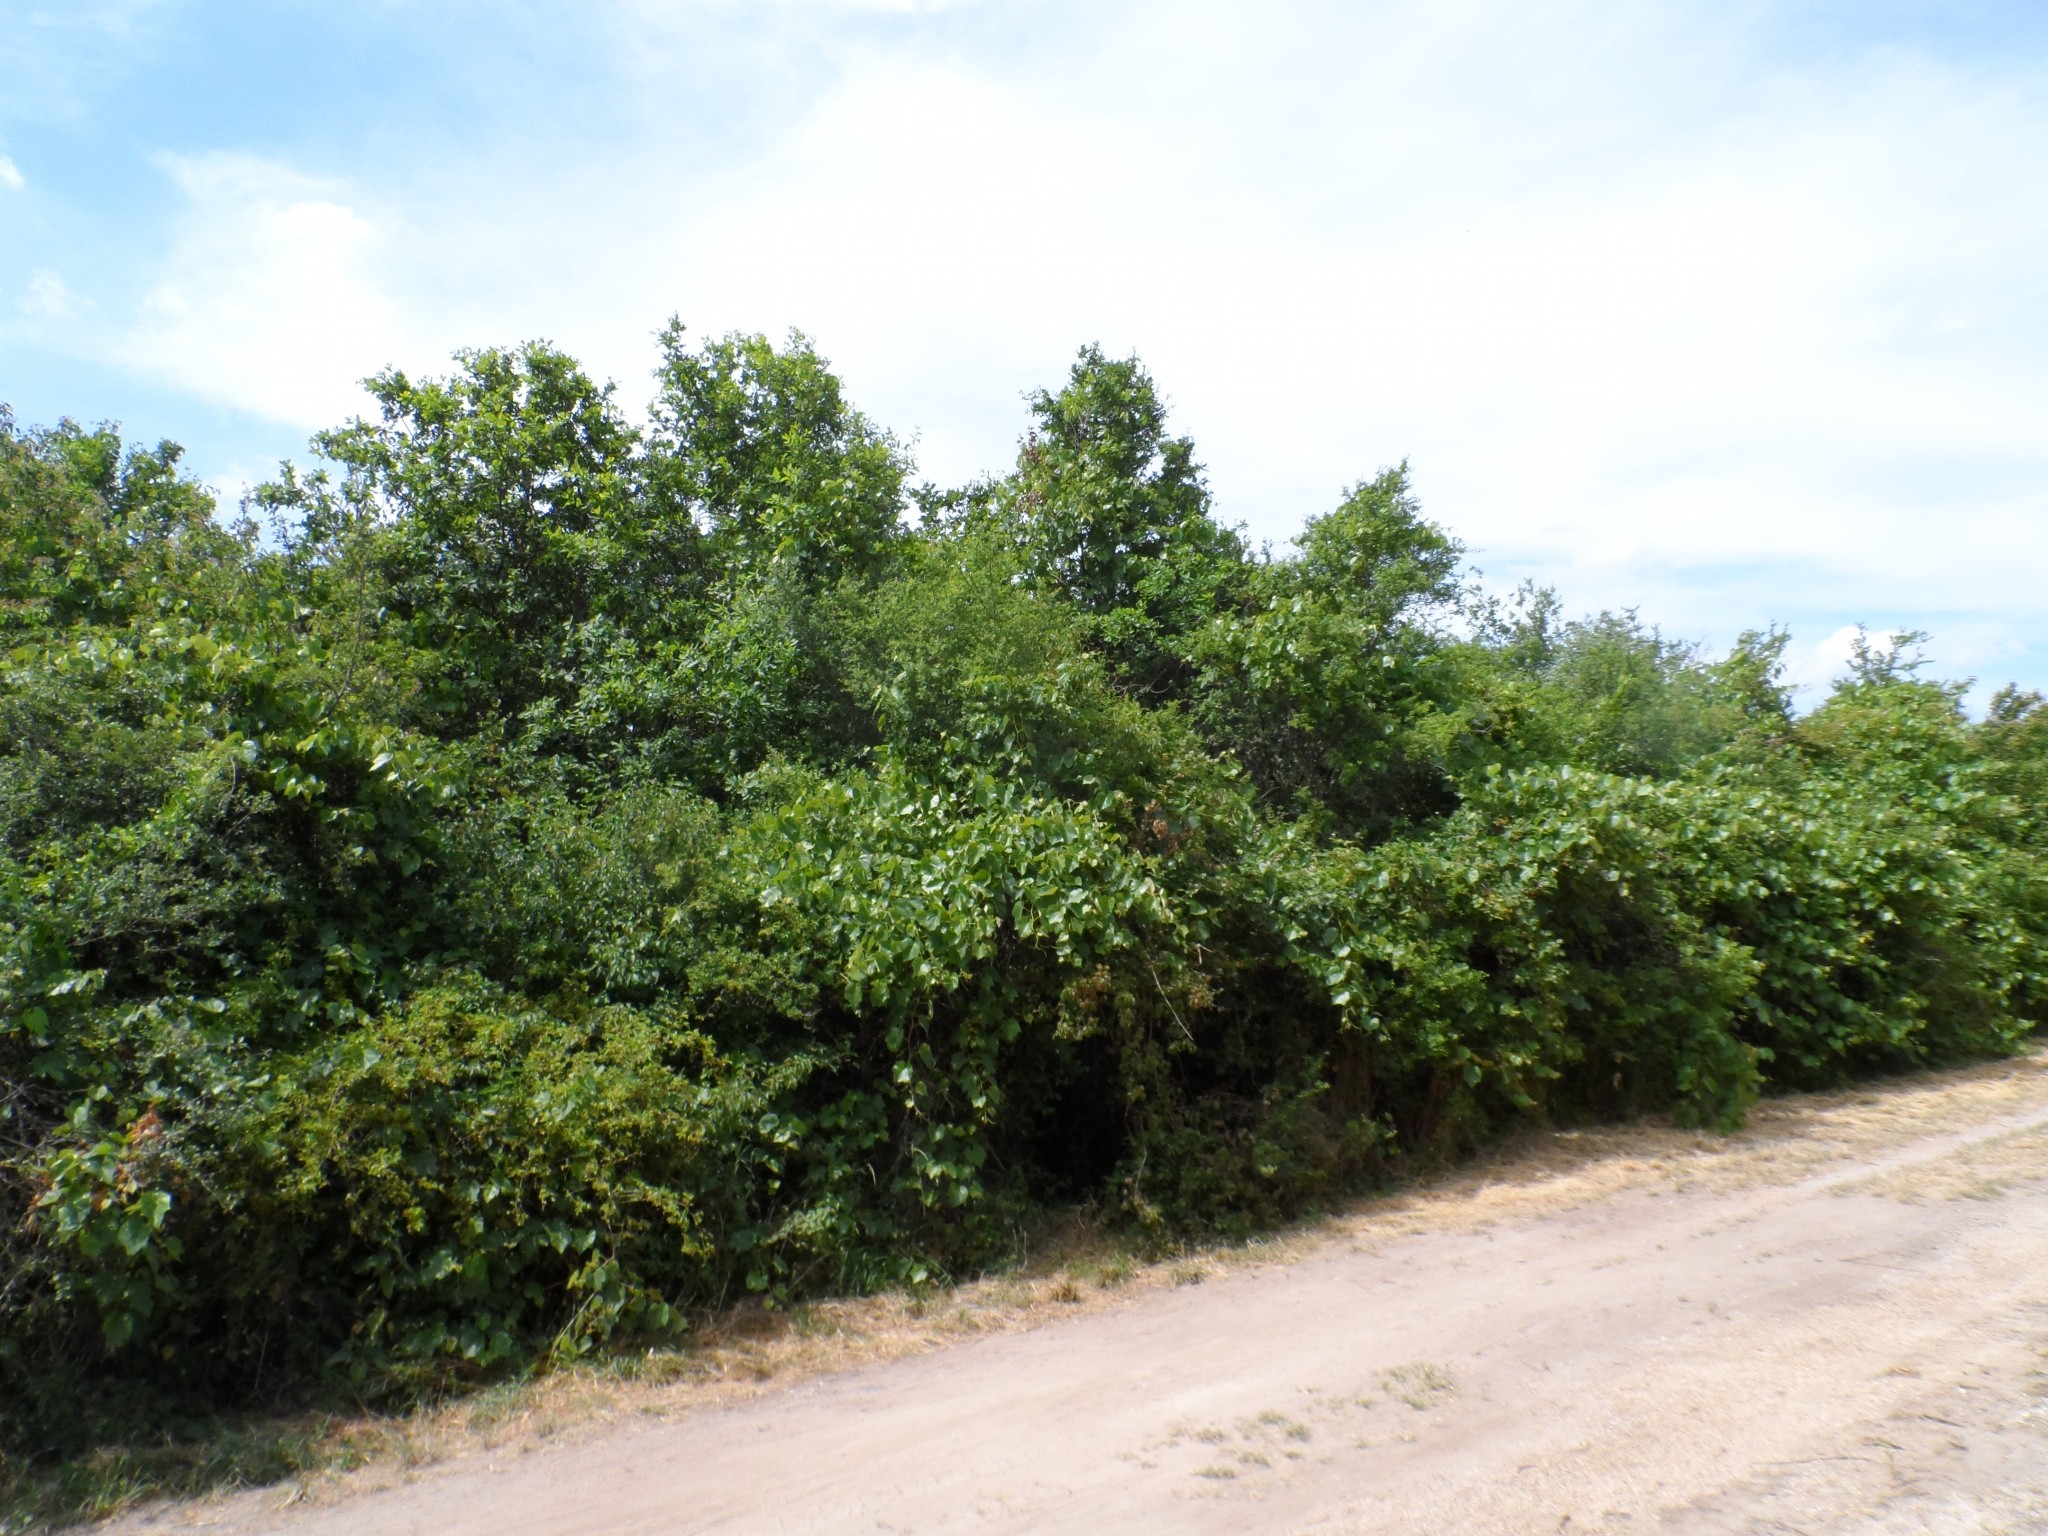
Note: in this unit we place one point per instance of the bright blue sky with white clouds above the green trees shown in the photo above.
(1730, 312)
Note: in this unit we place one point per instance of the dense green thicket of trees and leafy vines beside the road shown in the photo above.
(538, 878)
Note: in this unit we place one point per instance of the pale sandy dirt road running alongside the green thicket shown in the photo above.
(1832, 1324)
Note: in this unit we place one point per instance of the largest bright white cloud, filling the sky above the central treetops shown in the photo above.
(1596, 333)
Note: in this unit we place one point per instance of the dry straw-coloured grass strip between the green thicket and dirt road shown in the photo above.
(1082, 1269)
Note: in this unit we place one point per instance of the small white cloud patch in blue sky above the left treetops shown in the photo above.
(271, 296)
